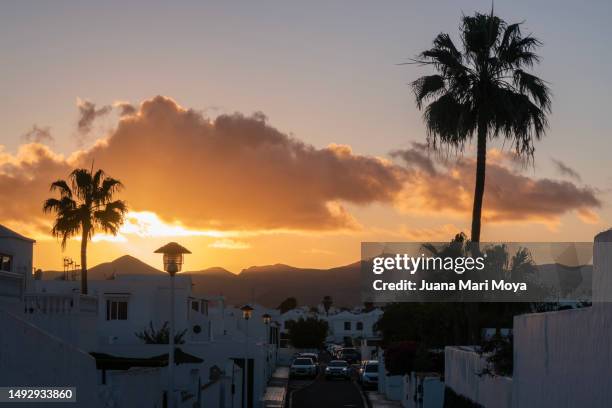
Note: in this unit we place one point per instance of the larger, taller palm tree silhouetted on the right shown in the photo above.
(483, 89)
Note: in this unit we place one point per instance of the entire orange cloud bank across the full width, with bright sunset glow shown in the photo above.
(236, 175)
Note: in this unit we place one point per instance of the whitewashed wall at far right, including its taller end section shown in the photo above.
(564, 359)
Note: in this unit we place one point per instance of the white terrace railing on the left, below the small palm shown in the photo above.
(60, 304)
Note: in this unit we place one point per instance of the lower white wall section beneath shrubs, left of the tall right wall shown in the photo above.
(461, 374)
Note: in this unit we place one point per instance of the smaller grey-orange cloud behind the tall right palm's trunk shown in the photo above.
(509, 195)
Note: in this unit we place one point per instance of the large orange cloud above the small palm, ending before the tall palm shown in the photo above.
(233, 173)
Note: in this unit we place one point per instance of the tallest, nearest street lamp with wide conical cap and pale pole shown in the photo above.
(173, 262)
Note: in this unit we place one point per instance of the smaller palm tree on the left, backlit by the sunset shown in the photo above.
(85, 205)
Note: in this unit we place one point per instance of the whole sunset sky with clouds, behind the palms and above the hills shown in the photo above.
(261, 132)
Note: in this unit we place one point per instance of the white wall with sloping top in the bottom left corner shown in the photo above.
(30, 356)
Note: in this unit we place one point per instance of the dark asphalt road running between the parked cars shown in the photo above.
(321, 393)
